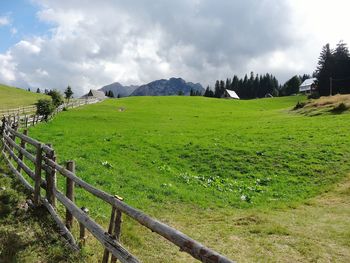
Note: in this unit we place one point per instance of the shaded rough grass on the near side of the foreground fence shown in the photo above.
(27, 235)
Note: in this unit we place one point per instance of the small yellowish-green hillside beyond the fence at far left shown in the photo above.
(11, 97)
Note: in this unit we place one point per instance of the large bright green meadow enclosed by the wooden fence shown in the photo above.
(243, 177)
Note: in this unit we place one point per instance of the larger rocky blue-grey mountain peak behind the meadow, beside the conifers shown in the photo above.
(165, 87)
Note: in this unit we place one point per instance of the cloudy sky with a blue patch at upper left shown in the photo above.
(51, 44)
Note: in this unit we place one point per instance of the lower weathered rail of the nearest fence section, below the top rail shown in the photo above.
(115, 248)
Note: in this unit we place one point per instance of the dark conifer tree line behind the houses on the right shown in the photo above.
(332, 74)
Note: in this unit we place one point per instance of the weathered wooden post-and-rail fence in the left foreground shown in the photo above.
(44, 176)
